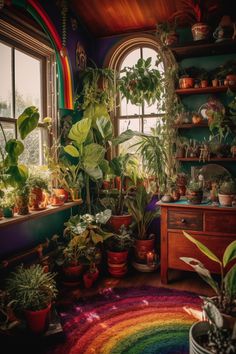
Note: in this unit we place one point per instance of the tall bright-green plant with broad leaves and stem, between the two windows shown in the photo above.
(89, 138)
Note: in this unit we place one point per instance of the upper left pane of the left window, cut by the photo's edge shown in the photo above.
(6, 81)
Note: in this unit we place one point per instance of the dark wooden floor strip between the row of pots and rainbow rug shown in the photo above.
(188, 281)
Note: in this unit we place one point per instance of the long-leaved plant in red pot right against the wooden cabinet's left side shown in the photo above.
(143, 215)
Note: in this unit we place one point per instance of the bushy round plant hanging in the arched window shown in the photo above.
(141, 83)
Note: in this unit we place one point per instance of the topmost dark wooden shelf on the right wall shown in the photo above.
(203, 48)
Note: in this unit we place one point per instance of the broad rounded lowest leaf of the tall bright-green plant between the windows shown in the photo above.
(93, 154)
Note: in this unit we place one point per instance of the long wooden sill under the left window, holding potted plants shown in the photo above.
(37, 214)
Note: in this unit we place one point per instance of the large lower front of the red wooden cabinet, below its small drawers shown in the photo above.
(180, 246)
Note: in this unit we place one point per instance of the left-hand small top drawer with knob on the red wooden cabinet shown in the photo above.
(185, 220)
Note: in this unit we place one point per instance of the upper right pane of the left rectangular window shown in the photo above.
(27, 82)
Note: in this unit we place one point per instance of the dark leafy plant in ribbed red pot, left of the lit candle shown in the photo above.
(118, 246)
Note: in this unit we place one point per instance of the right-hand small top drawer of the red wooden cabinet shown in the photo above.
(224, 222)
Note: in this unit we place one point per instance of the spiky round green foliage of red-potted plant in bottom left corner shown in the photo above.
(31, 288)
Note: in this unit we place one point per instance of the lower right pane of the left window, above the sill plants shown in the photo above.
(33, 144)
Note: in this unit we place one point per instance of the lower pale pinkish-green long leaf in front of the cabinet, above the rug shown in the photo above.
(202, 271)
